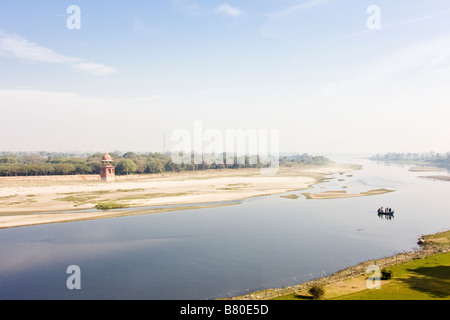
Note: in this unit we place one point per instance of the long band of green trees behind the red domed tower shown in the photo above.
(44, 164)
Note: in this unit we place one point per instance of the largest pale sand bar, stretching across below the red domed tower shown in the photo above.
(27, 201)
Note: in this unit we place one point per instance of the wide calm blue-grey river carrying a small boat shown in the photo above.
(209, 253)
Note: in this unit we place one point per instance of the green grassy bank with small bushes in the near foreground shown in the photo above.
(418, 275)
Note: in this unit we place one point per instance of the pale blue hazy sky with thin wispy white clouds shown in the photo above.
(136, 70)
